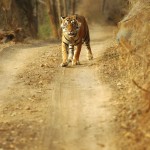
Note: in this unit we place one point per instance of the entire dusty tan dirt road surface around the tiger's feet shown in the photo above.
(46, 107)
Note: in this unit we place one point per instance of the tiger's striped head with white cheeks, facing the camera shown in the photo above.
(70, 26)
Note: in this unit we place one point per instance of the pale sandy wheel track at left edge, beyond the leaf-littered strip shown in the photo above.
(11, 60)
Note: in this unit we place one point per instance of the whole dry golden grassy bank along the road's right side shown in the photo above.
(127, 68)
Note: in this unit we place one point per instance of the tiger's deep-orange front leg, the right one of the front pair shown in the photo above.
(76, 55)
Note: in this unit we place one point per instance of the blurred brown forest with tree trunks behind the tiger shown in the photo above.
(41, 18)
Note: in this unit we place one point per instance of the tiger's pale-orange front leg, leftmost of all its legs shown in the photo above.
(64, 55)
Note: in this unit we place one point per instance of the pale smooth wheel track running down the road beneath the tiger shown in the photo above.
(81, 115)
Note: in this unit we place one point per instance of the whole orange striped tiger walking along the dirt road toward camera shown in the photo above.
(75, 32)
